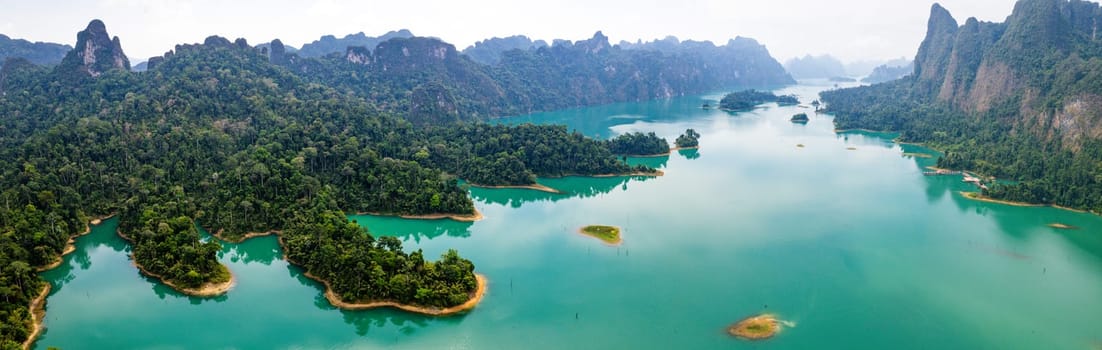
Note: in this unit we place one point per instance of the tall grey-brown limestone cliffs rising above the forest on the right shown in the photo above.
(1043, 64)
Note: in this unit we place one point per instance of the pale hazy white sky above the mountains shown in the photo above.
(849, 30)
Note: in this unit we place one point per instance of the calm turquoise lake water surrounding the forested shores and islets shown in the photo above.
(855, 247)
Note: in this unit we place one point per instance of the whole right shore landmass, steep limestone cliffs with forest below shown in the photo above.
(1001, 100)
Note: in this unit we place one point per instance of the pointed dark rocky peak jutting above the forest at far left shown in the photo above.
(95, 52)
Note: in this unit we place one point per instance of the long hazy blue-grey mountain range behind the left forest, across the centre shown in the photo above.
(430, 82)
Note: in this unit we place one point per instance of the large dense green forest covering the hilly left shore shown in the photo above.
(218, 135)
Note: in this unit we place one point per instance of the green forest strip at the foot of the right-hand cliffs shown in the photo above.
(1045, 172)
